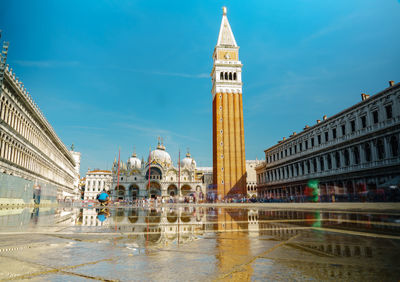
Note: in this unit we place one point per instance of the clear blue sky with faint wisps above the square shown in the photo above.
(111, 74)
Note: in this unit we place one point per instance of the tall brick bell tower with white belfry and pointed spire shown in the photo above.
(229, 165)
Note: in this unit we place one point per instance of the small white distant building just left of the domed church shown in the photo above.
(96, 181)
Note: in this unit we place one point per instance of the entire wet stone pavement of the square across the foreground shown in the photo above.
(198, 244)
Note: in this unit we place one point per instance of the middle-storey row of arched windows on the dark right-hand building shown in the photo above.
(335, 160)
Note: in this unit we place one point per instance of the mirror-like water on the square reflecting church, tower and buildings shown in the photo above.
(318, 244)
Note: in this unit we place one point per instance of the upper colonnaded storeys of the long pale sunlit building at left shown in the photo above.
(27, 141)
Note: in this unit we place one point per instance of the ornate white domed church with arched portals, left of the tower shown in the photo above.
(158, 177)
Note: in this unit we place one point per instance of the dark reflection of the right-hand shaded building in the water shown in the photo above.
(315, 253)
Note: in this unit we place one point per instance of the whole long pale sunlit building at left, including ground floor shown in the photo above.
(32, 156)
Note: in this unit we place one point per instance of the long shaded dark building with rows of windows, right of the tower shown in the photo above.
(354, 151)
